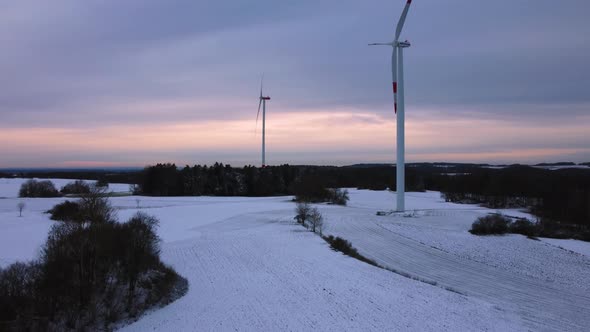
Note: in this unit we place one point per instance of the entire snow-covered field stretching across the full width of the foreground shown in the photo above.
(251, 268)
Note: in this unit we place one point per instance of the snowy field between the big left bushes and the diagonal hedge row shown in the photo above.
(259, 271)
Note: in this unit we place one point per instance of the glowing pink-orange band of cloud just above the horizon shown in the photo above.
(340, 136)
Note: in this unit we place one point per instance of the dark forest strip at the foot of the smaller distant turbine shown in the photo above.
(224, 180)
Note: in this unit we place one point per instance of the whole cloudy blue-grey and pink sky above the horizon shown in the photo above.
(134, 82)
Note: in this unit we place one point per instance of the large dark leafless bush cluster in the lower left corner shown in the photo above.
(91, 273)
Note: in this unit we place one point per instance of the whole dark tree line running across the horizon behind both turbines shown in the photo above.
(560, 195)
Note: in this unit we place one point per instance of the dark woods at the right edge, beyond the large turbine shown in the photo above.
(561, 198)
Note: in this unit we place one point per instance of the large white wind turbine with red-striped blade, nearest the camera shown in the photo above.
(397, 73)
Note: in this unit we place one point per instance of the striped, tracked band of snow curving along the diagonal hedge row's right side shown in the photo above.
(542, 305)
